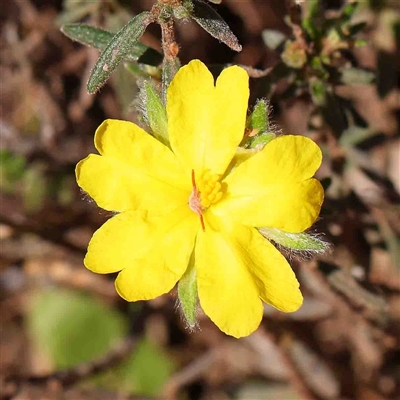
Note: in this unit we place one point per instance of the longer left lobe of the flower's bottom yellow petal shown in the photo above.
(227, 290)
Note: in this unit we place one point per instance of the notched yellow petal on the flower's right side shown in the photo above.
(273, 188)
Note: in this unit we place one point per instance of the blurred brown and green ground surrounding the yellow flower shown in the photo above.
(331, 71)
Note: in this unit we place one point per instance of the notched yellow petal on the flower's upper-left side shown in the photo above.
(135, 171)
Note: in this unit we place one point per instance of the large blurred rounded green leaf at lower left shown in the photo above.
(71, 328)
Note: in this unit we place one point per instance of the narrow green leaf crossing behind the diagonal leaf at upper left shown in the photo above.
(99, 39)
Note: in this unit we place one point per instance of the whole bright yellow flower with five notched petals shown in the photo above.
(171, 203)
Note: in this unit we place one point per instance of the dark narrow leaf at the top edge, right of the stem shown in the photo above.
(211, 22)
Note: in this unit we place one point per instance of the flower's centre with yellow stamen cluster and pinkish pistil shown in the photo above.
(206, 191)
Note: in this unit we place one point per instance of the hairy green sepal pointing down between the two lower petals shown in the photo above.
(187, 295)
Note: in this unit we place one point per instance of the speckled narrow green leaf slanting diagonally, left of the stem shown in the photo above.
(117, 49)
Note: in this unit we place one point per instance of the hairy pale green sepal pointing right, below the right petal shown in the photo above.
(295, 241)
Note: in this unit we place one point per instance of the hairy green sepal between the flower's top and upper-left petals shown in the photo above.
(155, 113)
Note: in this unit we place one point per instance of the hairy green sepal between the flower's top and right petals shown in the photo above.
(258, 121)
